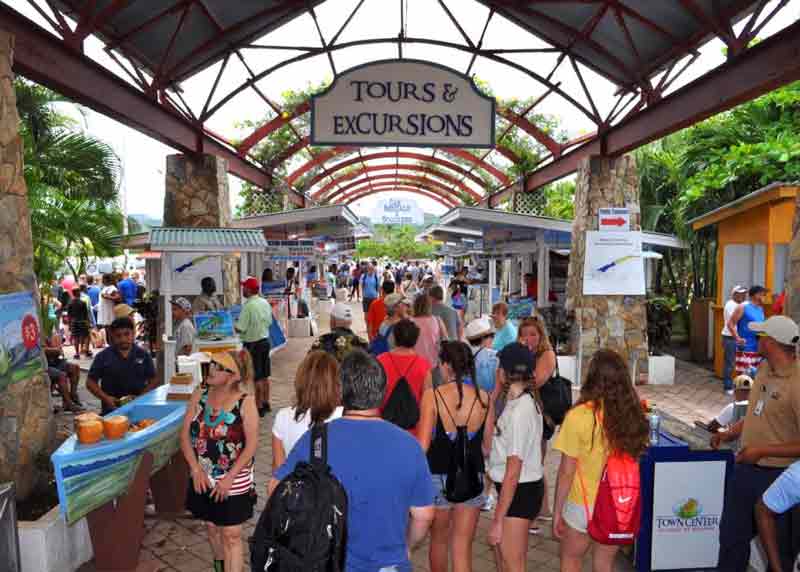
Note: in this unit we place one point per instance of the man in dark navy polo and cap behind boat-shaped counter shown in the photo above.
(122, 369)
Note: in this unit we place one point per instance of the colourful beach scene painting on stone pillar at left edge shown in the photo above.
(20, 339)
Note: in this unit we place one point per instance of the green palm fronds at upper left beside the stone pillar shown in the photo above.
(73, 185)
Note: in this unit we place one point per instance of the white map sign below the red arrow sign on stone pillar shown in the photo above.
(613, 264)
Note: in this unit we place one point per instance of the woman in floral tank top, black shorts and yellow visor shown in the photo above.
(218, 439)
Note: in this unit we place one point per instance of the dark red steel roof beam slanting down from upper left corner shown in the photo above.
(45, 59)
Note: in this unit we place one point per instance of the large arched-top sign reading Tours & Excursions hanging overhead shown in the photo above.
(407, 103)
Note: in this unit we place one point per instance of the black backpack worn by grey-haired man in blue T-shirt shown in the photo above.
(304, 525)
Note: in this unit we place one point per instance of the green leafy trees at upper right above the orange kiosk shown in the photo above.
(708, 165)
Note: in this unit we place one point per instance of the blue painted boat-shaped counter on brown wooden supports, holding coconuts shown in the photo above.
(107, 481)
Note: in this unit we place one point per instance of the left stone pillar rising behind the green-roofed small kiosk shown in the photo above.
(196, 195)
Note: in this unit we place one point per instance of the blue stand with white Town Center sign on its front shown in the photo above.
(683, 492)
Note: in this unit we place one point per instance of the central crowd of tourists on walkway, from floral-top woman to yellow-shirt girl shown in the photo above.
(449, 421)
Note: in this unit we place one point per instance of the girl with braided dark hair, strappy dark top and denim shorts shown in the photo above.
(456, 402)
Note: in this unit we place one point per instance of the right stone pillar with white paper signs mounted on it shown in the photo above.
(613, 322)
